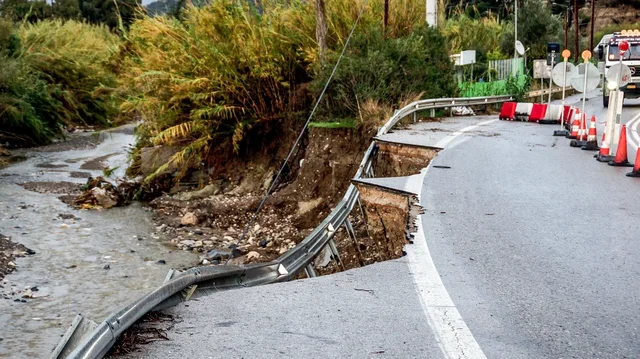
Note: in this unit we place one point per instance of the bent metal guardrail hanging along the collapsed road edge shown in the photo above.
(98, 339)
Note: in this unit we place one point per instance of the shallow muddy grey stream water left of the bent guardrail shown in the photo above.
(72, 253)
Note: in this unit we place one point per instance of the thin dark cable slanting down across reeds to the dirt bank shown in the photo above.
(306, 124)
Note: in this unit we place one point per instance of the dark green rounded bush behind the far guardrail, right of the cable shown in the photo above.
(385, 71)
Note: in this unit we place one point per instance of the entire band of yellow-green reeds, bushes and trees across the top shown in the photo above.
(212, 79)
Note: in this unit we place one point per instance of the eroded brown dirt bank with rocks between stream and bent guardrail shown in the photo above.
(211, 221)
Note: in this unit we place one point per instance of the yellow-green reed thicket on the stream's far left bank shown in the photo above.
(53, 74)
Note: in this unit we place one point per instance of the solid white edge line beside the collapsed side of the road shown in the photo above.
(453, 335)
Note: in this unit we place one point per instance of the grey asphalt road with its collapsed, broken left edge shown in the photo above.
(528, 249)
